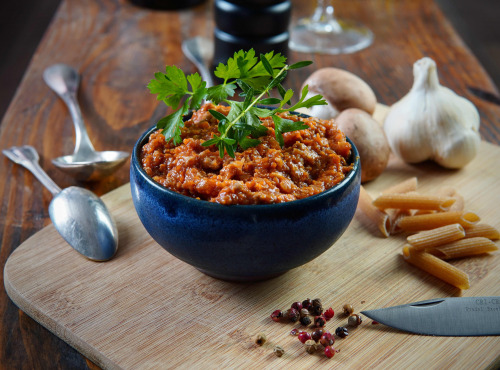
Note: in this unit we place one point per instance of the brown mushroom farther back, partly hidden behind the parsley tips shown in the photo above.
(342, 90)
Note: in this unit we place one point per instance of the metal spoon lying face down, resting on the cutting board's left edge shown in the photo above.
(78, 215)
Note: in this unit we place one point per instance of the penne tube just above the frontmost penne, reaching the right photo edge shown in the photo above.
(464, 248)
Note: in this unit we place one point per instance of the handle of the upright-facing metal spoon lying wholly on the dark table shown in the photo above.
(64, 81)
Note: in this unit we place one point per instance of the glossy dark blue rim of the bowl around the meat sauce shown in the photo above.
(135, 163)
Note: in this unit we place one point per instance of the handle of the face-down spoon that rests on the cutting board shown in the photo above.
(27, 157)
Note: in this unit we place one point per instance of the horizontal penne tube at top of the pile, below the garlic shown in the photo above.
(413, 201)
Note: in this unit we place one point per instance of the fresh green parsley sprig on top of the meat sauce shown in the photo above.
(256, 78)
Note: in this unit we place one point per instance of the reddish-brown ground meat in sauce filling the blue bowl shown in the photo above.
(311, 161)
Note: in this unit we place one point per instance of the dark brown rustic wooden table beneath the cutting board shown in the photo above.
(117, 47)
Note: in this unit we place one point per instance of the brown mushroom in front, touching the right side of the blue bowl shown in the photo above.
(369, 138)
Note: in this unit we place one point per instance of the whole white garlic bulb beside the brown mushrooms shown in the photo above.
(433, 122)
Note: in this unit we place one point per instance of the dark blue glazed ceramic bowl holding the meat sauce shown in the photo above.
(243, 242)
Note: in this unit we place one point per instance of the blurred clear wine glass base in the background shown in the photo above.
(323, 33)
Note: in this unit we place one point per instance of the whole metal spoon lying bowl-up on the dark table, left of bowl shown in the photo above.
(85, 163)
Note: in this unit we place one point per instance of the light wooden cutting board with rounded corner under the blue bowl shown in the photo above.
(147, 309)
